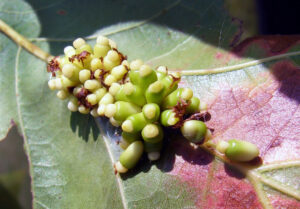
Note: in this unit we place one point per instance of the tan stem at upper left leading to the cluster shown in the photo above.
(23, 42)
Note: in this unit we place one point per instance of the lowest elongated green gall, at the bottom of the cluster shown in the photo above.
(132, 154)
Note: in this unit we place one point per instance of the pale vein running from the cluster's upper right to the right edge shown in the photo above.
(238, 66)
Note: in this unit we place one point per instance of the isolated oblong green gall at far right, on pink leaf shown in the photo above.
(241, 151)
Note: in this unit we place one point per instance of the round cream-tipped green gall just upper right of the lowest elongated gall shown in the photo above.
(152, 133)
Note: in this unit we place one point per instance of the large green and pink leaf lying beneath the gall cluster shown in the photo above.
(71, 163)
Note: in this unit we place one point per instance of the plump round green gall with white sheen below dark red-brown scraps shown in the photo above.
(194, 131)
